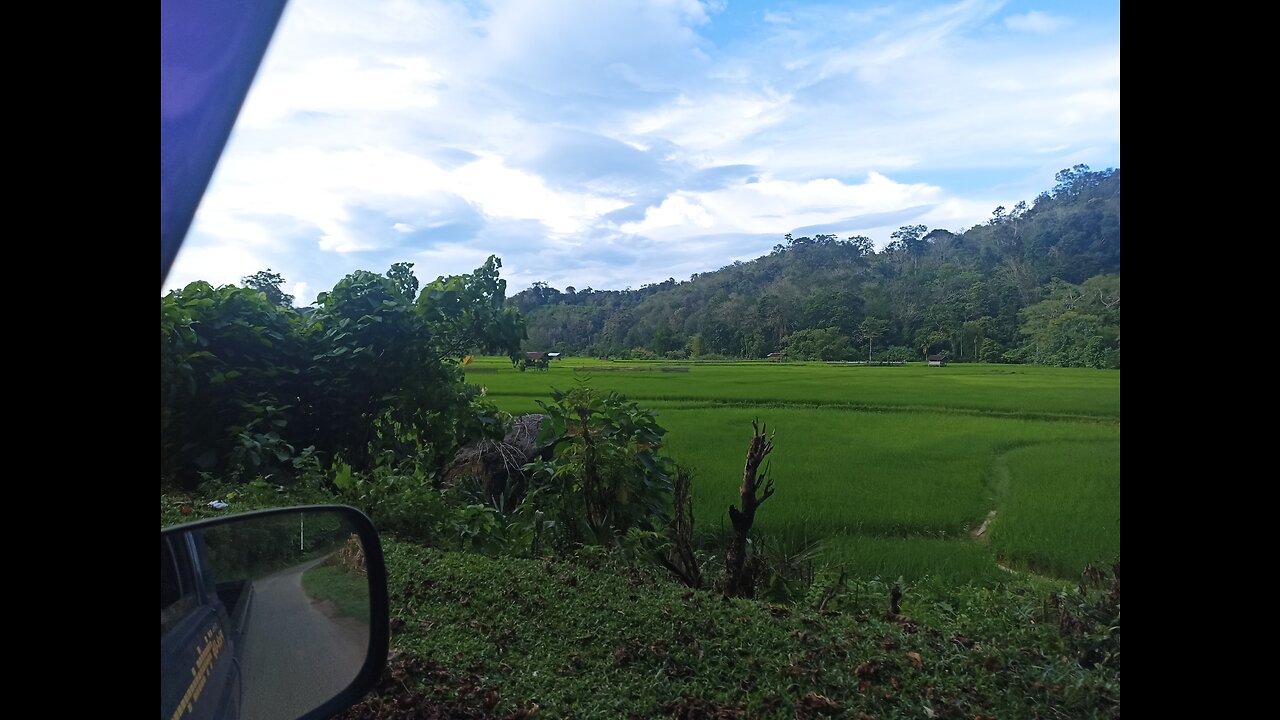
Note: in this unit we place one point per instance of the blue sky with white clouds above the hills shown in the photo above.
(614, 144)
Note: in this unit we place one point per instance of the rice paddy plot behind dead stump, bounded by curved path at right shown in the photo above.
(842, 472)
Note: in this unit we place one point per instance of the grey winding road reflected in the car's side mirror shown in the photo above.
(299, 651)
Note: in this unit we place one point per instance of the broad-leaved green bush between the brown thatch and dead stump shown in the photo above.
(606, 476)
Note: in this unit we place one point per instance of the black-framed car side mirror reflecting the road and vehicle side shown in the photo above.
(272, 614)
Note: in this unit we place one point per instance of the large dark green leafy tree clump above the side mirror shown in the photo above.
(250, 388)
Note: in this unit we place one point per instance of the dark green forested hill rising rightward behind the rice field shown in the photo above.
(1037, 284)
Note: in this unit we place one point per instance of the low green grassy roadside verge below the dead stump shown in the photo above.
(509, 635)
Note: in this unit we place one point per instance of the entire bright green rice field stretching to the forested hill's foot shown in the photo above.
(892, 470)
